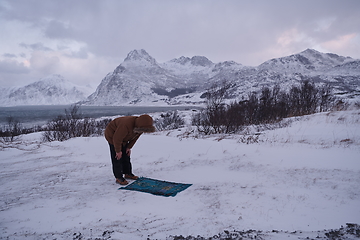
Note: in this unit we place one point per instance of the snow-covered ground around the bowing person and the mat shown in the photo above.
(303, 177)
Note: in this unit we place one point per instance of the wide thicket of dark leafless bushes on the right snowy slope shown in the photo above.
(267, 107)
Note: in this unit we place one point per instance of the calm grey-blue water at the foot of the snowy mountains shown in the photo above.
(30, 116)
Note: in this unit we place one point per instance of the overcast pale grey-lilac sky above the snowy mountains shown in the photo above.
(83, 40)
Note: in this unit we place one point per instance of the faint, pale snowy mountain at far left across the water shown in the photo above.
(51, 90)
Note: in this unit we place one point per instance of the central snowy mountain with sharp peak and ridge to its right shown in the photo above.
(141, 80)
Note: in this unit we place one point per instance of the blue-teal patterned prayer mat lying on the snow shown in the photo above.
(156, 187)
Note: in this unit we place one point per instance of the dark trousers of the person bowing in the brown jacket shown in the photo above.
(121, 166)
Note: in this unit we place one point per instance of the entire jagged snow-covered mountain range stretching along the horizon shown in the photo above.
(141, 80)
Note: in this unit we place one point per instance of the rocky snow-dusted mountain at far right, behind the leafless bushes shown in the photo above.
(343, 73)
